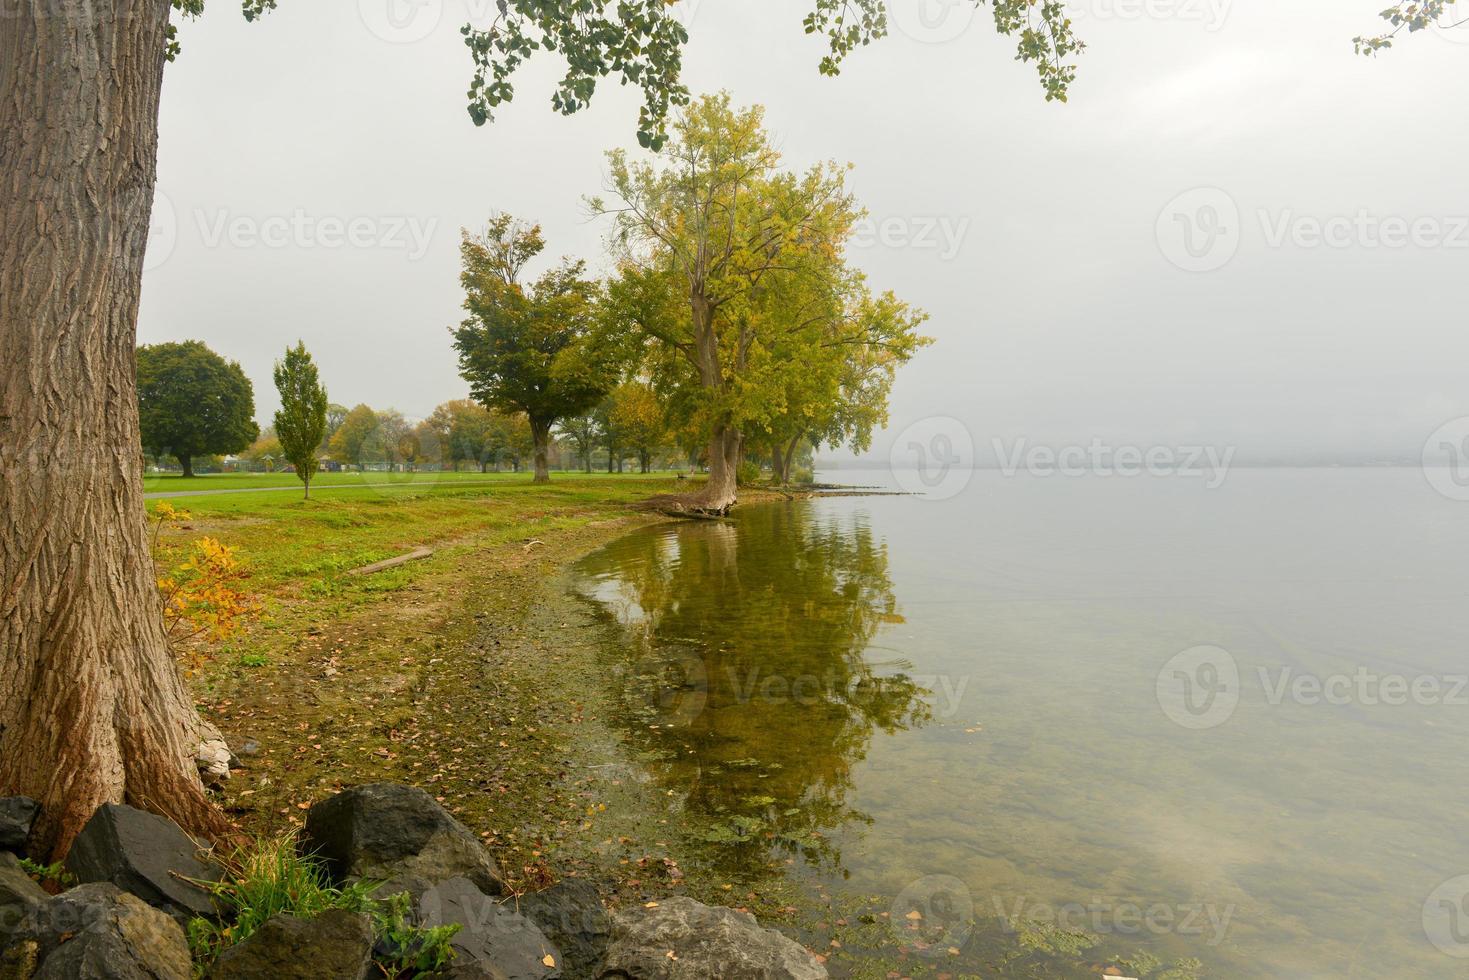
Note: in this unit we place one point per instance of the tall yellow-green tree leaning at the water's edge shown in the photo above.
(756, 255)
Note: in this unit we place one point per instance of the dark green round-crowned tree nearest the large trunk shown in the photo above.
(192, 403)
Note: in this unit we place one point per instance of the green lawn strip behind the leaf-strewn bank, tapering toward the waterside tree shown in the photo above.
(299, 553)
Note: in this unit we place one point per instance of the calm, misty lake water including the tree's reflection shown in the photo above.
(1055, 722)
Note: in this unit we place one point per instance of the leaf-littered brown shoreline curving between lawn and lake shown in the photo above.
(487, 680)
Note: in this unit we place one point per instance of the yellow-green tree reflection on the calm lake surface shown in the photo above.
(744, 668)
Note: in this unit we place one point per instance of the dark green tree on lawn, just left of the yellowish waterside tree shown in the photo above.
(530, 347)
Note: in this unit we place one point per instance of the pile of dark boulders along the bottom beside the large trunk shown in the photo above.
(136, 885)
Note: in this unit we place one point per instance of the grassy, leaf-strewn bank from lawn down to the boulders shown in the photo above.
(452, 674)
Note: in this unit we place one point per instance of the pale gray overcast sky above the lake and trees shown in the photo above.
(1236, 231)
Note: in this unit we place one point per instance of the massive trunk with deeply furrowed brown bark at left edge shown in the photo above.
(92, 703)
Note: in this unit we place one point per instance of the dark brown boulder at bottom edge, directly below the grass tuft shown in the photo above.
(336, 944)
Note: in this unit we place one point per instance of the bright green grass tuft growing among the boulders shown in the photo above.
(271, 878)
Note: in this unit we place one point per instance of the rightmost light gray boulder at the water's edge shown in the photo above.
(704, 941)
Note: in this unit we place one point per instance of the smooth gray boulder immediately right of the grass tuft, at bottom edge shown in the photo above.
(491, 932)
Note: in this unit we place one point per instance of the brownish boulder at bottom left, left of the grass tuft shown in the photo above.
(99, 932)
